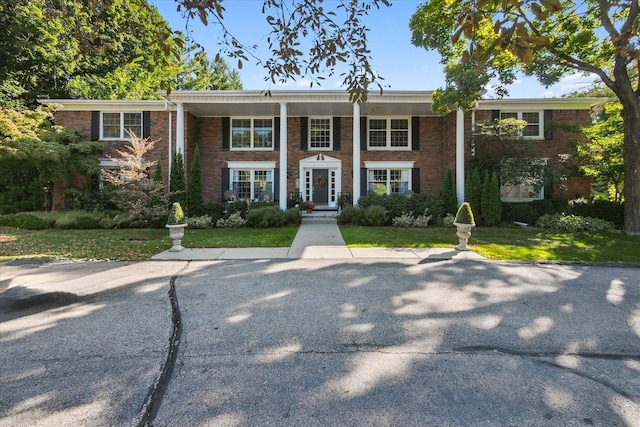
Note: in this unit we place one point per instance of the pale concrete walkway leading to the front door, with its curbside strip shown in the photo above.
(318, 238)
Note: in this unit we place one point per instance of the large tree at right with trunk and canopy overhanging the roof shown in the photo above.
(484, 39)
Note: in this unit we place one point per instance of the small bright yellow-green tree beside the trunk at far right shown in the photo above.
(603, 153)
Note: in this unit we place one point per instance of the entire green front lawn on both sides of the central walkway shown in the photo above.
(495, 243)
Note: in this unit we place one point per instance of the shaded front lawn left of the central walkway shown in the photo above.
(129, 244)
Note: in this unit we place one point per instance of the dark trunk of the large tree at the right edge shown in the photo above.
(631, 118)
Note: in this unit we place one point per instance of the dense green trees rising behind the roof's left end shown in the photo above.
(100, 49)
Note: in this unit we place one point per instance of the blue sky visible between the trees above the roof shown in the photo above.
(402, 65)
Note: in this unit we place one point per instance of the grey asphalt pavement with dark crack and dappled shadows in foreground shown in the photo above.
(321, 342)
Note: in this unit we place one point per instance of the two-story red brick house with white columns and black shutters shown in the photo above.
(316, 143)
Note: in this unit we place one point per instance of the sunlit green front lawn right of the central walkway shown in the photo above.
(508, 243)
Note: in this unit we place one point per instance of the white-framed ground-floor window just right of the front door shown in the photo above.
(389, 177)
